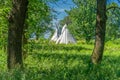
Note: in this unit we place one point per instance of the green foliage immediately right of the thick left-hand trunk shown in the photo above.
(39, 17)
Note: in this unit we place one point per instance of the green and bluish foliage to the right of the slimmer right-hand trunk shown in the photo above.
(113, 23)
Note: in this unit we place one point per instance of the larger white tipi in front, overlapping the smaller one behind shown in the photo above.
(65, 36)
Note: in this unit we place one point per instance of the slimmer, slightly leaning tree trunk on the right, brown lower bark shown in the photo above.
(100, 31)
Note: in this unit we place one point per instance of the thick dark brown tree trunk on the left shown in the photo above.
(15, 29)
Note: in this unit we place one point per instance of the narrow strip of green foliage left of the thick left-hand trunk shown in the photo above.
(4, 9)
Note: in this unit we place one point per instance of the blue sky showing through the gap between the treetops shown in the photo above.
(63, 5)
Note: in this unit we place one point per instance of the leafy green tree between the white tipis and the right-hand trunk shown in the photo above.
(82, 19)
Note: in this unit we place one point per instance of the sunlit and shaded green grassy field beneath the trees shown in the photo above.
(65, 62)
